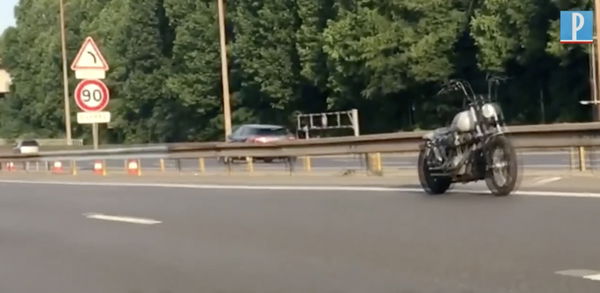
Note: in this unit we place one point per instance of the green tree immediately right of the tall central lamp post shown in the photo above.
(264, 50)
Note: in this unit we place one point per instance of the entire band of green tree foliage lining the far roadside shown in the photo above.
(385, 57)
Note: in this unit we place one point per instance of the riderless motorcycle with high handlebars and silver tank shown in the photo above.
(474, 147)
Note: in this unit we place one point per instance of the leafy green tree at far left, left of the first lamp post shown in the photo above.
(29, 53)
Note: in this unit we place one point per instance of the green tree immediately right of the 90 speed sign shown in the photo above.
(138, 44)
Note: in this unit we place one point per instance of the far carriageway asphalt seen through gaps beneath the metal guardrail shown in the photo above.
(532, 160)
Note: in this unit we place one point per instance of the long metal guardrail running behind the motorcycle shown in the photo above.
(572, 135)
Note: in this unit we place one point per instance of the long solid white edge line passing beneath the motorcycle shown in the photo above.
(538, 193)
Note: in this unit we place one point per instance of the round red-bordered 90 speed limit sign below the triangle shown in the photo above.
(91, 95)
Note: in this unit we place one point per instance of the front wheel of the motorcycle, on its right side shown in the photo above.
(502, 170)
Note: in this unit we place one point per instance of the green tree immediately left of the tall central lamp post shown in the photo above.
(196, 79)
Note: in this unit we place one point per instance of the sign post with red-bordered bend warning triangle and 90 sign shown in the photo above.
(91, 95)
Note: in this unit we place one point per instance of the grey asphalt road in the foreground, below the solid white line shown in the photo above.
(57, 238)
